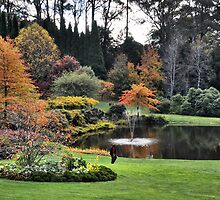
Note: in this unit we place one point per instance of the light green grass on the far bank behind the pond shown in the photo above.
(171, 118)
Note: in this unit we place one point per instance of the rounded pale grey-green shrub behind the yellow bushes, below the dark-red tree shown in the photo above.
(75, 84)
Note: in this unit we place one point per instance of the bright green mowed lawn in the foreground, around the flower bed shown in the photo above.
(137, 179)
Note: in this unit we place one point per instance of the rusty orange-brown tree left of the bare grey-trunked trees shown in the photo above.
(148, 72)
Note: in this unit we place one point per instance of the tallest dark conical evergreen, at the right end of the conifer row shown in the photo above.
(95, 55)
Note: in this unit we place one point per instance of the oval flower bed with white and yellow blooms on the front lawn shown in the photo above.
(69, 169)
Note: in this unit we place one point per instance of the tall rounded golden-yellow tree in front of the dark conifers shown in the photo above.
(38, 50)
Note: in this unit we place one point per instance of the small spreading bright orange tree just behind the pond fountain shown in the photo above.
(139, 95)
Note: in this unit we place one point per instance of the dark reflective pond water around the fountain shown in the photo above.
(168, 142)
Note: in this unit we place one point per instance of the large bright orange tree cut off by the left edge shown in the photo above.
(15, 84)
